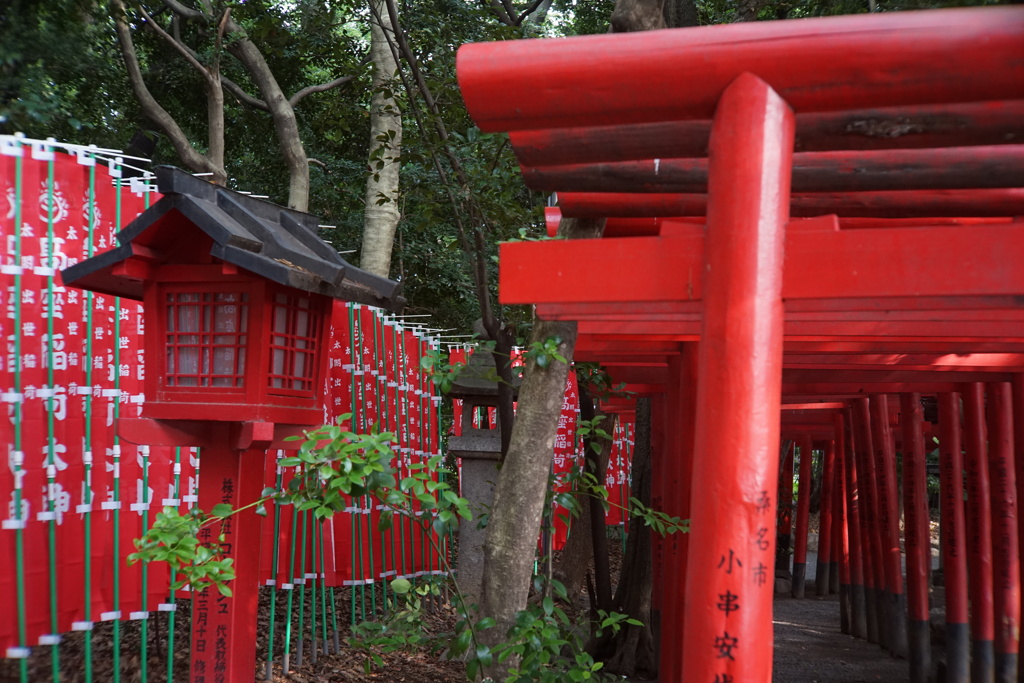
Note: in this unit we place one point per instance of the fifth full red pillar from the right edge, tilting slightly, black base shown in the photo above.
(888, 517)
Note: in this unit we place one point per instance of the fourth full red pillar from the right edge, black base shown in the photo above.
(919, 540)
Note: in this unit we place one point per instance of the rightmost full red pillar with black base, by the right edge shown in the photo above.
(1006, 560)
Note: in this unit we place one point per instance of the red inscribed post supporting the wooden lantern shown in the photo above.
(224, 634)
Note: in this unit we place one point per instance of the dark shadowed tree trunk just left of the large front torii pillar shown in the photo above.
(631, 653)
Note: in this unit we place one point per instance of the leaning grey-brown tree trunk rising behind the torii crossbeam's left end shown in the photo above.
(516, 515)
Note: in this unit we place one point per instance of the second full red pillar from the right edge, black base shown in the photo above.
(979, 539)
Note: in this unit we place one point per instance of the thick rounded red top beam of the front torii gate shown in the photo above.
(816, 65)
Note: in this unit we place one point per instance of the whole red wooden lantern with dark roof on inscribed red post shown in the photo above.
(238, 296)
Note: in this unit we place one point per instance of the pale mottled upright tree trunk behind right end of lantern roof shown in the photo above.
(382, 216)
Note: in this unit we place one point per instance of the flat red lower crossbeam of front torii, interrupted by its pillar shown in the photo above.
(820, 265)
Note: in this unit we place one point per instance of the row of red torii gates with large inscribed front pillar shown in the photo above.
(903, 123)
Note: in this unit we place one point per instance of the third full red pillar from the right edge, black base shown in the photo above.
(954, 537)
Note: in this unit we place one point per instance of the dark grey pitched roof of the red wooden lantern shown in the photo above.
(266, 239)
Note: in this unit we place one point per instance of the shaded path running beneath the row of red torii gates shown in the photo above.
(809, 648)
